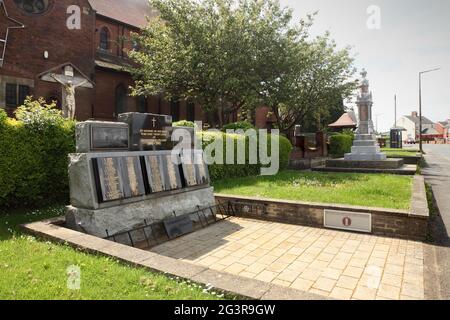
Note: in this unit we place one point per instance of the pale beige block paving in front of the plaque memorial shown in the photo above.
(329, 263)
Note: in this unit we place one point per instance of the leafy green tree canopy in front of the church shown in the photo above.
(232, 55)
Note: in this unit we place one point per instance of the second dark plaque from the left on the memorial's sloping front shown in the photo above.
(133, 181)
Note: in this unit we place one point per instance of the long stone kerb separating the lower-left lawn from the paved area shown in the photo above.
(243, 287)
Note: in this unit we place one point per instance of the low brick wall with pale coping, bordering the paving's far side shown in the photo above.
(387, 222)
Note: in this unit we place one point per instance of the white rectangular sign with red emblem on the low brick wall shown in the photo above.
(346, 220)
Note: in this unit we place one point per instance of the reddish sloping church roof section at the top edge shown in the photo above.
(131, 12)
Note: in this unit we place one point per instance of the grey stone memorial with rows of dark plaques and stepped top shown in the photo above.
(117, 185)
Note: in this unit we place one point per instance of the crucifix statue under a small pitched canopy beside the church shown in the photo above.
(69, 83)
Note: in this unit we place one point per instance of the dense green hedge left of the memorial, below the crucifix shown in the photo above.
(33, 155)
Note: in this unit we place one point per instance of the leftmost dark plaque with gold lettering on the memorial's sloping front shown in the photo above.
(109, 183)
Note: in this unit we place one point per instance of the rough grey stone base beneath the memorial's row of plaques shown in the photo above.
(126, 217)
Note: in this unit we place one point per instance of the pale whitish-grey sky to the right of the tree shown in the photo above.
(414, 36)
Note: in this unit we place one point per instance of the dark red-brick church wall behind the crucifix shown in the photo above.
(24, 57)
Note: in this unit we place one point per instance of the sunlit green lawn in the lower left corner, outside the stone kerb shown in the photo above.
(34, 269)
